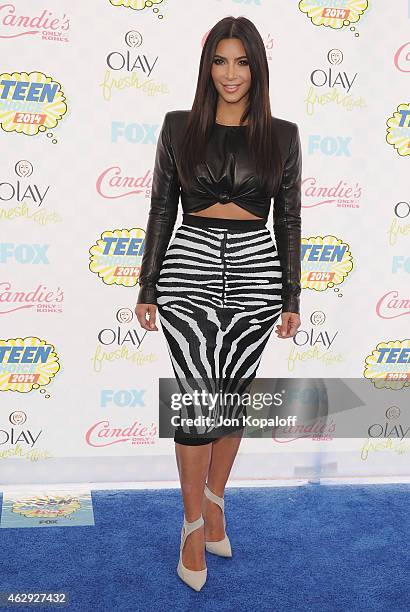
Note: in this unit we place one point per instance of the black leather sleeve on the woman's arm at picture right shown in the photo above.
(287, 225)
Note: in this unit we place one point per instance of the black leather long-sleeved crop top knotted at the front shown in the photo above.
(229, 175)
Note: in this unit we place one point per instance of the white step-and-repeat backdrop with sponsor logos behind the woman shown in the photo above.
(84, 88)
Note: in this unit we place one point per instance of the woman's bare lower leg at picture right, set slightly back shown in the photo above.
(224, 451)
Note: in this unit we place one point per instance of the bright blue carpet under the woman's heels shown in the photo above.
(339, 548)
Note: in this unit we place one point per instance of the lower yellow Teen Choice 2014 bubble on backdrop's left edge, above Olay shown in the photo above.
(26, 364)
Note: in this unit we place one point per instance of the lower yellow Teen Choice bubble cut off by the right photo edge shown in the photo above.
(388, 365)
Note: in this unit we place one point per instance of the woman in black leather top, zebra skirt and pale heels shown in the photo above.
(221, 285)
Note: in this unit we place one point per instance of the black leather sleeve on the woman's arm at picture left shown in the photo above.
(165, 192)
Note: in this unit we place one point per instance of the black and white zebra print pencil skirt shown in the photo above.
(218, 299)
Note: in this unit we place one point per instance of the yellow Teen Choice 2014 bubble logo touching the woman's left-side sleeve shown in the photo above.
(116, 257)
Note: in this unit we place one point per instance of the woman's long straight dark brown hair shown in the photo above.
(261, 136)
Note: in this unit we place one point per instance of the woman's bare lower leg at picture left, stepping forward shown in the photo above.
(193, 464)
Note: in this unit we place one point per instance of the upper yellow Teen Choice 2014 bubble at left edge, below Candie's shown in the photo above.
(30, 102)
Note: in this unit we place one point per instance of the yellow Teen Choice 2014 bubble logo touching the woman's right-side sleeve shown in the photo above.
(326, 262)
